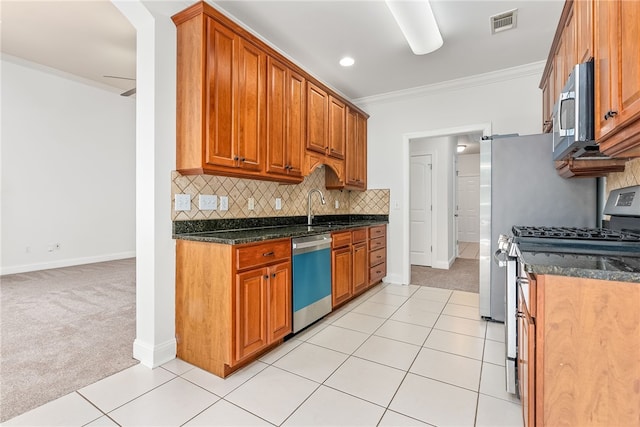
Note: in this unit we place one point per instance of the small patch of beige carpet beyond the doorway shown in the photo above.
(462, 276)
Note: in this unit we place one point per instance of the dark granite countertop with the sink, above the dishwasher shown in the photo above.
(237, 231)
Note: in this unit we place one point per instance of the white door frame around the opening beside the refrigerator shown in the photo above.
(485, 128)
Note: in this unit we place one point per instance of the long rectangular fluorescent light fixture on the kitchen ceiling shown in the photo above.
(416, 20)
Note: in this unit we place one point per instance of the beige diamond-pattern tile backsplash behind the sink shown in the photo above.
(264, 193)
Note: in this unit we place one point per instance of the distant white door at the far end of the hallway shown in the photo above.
(469, 208)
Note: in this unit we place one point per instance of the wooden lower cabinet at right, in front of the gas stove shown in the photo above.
(579, 352)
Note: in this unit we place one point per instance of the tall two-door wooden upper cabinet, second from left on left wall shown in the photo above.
(285, 120)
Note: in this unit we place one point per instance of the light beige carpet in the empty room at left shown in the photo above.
(63, 329)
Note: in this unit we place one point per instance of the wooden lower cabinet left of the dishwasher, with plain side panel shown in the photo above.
(233, 302)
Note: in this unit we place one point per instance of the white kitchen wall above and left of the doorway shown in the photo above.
(509, 100)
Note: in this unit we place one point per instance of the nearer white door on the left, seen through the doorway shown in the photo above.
(420, 209)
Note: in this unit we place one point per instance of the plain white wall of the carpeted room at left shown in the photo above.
(68, 170)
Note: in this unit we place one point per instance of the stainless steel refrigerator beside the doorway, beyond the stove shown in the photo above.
(520, 186)
